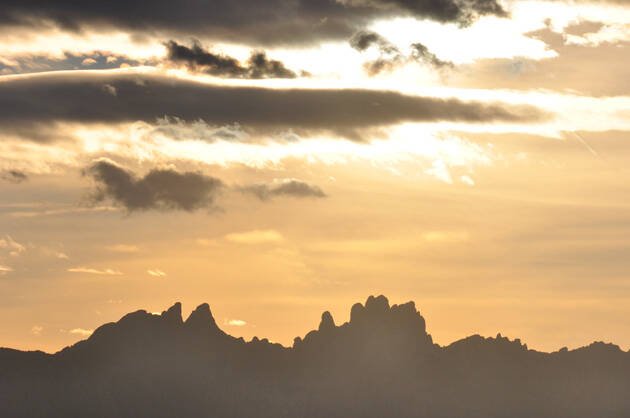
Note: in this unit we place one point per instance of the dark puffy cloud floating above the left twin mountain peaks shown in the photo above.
(163, 189)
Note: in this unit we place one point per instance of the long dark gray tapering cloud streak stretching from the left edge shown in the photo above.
(126, 97)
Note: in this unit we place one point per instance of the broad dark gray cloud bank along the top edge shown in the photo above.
(254, 21)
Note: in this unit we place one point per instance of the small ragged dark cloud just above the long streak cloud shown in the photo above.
(197, 58)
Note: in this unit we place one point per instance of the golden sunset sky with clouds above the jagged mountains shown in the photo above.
(280, 158)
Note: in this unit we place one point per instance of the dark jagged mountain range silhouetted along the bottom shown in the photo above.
(382, 363)
